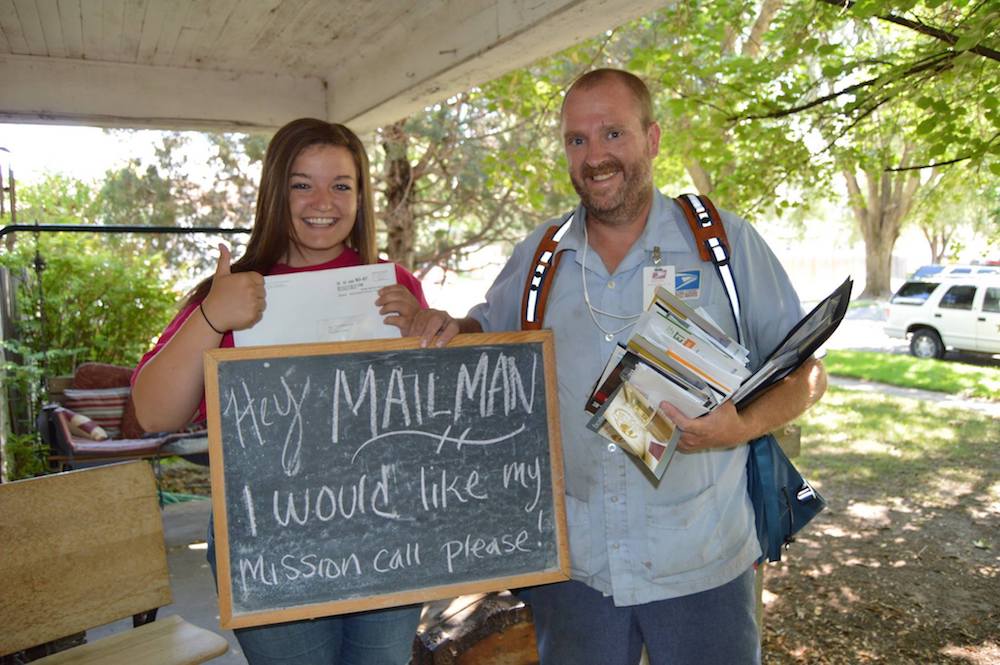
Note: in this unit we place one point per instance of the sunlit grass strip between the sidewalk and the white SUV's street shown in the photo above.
(910, 372)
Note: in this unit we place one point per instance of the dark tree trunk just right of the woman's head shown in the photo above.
(398, 214)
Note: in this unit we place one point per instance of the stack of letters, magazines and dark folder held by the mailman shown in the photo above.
(681, 356)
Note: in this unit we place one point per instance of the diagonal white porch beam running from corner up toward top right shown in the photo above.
(459, 45)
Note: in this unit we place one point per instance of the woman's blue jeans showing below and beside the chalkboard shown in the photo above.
(378, 637)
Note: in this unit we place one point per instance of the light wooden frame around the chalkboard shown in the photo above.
(214, 358)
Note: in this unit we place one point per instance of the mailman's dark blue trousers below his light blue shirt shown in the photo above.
(576, 624)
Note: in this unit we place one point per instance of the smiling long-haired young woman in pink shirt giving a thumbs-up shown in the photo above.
(314, 212)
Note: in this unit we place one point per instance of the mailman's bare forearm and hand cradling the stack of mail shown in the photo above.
(725, 426)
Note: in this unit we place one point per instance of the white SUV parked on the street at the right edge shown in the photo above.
(960, 312)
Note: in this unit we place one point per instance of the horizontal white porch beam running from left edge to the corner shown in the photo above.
(59, 91)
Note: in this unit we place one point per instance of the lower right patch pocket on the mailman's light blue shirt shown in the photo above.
(680, 536)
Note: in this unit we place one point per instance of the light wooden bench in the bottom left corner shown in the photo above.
(85, 548)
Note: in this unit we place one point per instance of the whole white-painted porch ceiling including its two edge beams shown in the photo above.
(255, 64)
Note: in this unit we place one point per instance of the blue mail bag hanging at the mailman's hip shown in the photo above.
(783, 502)
